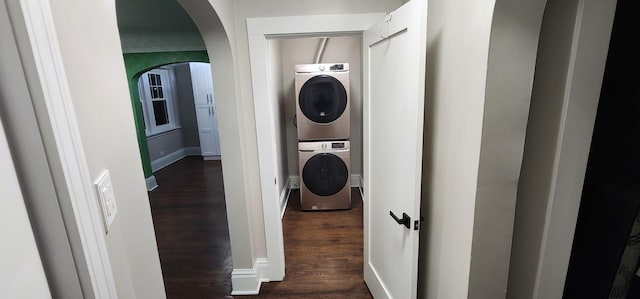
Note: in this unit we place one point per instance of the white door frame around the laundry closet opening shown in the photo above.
(260, 31)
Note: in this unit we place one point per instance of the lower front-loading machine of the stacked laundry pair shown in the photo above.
(325, 175)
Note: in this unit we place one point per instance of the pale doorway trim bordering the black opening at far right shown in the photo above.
(589, 50)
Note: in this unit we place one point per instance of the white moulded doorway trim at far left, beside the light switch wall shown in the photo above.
(45, 75)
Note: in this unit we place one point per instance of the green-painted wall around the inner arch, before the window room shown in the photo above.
(138, 63)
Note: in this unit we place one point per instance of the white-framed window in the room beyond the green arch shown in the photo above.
(157, 105)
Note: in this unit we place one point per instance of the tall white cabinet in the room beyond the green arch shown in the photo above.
(205, 105)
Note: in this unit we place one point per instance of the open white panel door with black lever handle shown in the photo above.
(394, 54)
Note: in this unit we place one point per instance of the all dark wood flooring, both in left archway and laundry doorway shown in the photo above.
(323, 250)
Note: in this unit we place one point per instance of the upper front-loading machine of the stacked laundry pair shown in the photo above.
(322, 101)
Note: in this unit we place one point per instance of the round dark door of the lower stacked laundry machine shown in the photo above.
(325, 174)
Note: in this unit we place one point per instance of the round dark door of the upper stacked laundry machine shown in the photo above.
(322, 99)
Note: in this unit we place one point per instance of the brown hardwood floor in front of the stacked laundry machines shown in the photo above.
(323, 253)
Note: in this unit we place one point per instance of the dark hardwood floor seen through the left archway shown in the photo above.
(190, 220)
